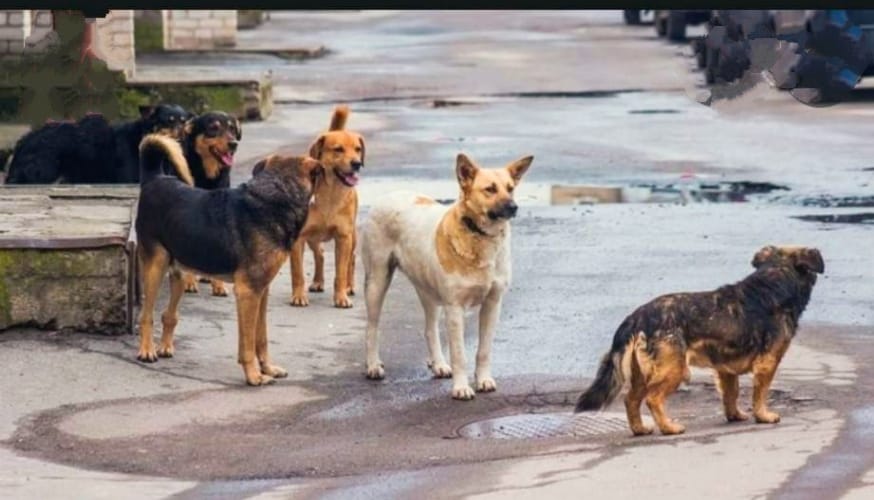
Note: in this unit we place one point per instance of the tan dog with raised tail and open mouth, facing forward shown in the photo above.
(332, 214)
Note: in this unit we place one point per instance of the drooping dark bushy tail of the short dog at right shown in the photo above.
(611, 374)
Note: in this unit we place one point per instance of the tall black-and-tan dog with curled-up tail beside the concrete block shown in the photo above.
(241, 234)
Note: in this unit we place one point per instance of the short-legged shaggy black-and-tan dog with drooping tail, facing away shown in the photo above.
(736, 329)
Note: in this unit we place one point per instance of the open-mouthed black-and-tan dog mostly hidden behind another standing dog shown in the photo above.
(209, 144)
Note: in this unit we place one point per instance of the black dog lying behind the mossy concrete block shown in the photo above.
(90, 151)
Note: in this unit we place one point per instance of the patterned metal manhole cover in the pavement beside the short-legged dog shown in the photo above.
(542, 425)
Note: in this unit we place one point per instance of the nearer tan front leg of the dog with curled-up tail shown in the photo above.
(248, 312)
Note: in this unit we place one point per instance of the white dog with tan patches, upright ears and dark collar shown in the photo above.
(456, 259)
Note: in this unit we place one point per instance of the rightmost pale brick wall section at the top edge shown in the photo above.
(199, 29)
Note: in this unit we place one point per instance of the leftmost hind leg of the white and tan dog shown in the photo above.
(377, 277)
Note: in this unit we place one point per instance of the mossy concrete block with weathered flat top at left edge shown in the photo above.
(67, 258)
